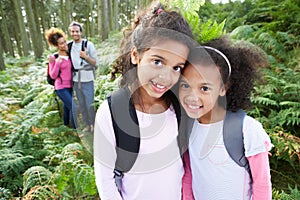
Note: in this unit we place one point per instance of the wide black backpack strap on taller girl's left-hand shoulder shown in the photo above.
(124, 121)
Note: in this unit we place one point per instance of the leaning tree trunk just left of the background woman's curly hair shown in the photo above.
(34, 33)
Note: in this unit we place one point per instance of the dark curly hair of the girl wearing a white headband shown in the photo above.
(245, 60)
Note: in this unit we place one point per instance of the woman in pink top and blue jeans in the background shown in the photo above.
(61, 71)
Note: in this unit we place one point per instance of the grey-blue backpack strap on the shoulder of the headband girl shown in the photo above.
(234, 139)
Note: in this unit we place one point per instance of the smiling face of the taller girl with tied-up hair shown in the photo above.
(159, 67)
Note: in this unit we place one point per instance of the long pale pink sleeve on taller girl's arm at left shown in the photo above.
(105, 154)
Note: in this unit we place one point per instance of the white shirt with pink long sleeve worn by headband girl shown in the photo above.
(216, 176)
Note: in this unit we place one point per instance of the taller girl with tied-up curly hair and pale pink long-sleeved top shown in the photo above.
(152, 55)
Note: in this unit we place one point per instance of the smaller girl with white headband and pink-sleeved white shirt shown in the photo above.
(217, 72)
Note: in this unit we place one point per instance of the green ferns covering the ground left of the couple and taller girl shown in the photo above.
(32, 134)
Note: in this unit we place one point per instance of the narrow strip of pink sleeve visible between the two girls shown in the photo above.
(187, 192)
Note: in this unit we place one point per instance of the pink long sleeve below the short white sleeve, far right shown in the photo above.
(260, 170)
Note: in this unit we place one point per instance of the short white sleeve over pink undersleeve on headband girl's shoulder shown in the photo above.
(256, 140)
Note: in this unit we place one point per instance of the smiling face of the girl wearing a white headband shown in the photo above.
(199, 90)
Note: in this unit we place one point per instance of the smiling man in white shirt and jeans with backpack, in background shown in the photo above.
(84, 60)
